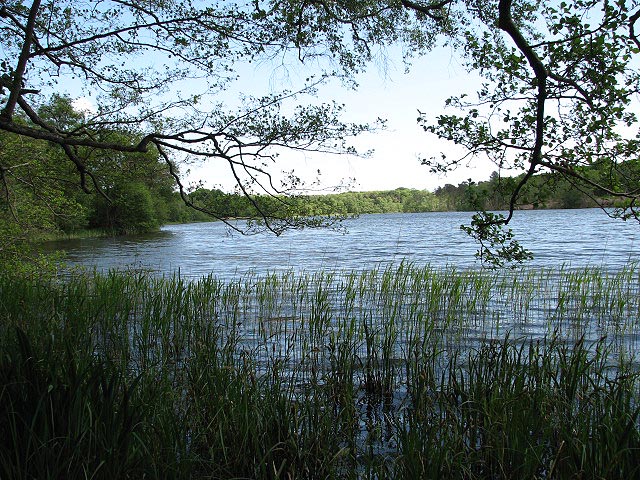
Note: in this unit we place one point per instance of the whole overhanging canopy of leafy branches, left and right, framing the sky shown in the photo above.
(558, 95)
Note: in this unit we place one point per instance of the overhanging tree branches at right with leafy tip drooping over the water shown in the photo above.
(559, 92)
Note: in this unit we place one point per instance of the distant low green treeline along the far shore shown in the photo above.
(544, 191)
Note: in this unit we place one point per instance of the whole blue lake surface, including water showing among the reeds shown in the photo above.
(379, 355)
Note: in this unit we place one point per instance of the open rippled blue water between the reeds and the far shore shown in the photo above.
(573, 238)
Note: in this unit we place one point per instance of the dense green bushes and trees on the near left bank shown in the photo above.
(41, 197)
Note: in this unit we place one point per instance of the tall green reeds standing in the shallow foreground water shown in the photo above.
(404, 372)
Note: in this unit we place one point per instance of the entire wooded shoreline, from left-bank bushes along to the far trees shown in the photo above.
(41, 194)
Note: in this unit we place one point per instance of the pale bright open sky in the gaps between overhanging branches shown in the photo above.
(385, 91)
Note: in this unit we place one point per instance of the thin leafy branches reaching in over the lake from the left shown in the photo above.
(128, 64)
